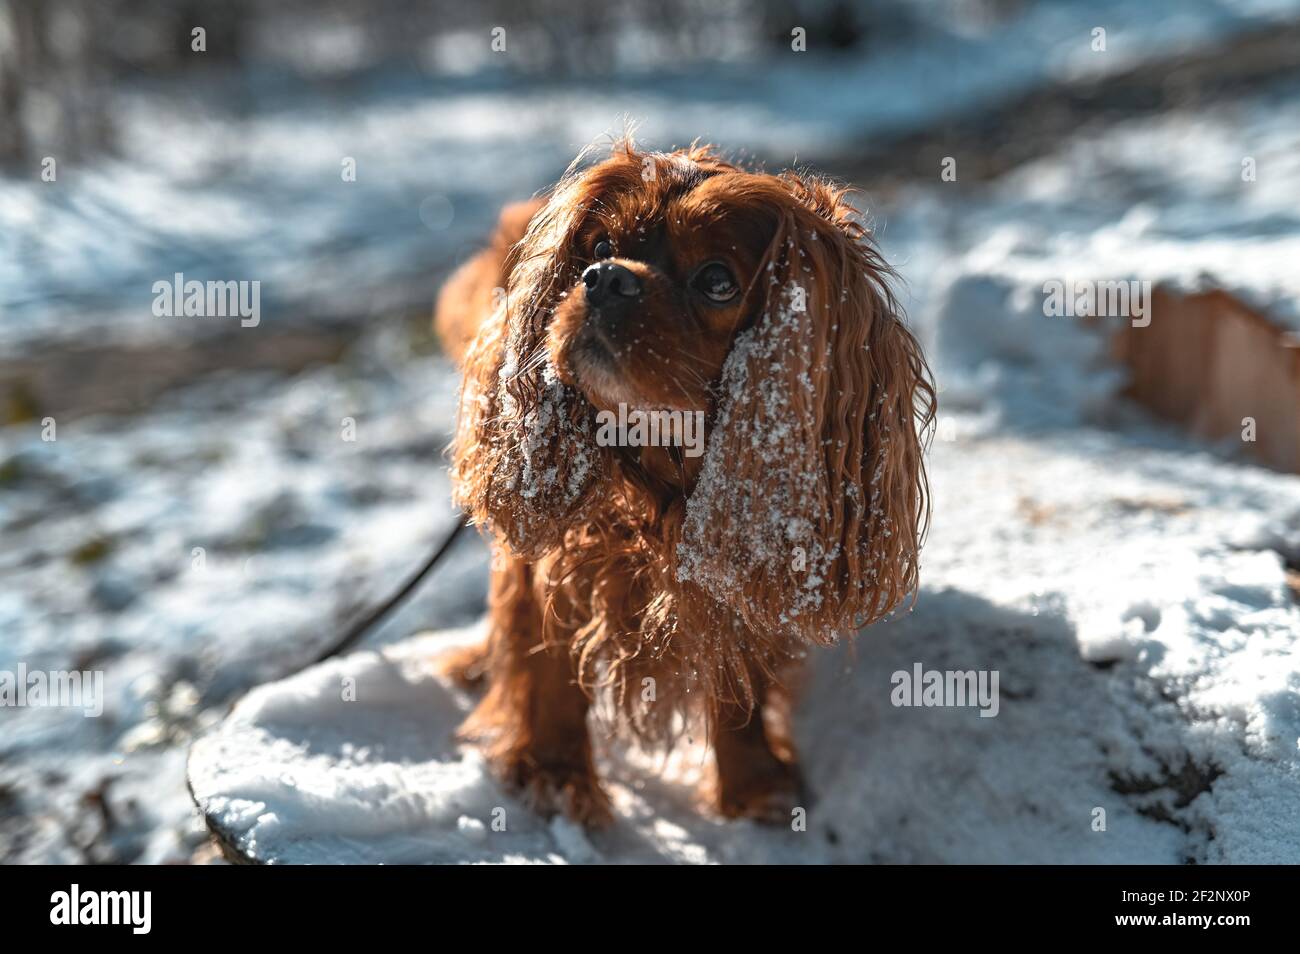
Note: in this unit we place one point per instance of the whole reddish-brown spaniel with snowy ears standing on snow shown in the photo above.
(632, 579)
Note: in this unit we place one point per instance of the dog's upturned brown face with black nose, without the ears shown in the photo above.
(665, 280)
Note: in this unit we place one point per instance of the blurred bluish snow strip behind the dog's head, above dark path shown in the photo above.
(228, 185)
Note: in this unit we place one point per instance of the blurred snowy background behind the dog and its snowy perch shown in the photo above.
(192, 505)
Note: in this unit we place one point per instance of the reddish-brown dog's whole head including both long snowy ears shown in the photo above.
(679, 281)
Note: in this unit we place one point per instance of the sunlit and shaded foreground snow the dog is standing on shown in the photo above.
(1132, 601)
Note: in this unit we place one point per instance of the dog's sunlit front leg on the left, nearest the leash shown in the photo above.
(532, 721)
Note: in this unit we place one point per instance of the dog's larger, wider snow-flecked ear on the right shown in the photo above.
(812, 502)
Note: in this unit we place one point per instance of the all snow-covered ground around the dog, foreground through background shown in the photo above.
(1129, 586)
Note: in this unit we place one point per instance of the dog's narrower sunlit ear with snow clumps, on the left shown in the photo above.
(525, 461)
